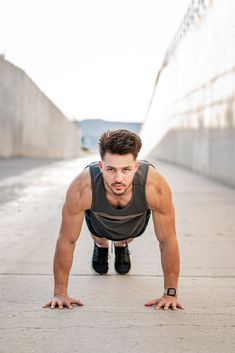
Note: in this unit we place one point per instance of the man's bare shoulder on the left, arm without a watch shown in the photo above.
(79, 193)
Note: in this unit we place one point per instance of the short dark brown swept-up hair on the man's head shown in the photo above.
(119, 141)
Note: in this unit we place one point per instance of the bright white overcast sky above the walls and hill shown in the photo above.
(92, 58)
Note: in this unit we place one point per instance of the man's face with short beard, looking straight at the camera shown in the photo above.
(118, 172)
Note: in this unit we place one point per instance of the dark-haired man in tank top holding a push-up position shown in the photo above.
(116, 197)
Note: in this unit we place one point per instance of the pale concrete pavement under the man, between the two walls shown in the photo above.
(114, 318)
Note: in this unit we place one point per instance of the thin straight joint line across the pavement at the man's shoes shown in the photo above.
(112, 275)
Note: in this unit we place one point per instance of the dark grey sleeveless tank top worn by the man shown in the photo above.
(118, 224)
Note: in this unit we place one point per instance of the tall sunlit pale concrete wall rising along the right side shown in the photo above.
(192, 119)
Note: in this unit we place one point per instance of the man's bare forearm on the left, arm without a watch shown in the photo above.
(62, 265)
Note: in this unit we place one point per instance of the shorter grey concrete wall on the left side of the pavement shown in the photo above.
(30, 124)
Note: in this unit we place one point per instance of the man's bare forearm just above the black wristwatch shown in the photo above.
(170, 263)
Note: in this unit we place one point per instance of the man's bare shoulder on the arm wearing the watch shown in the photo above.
(158, 191)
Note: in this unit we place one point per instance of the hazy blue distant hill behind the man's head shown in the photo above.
(93, 128)
